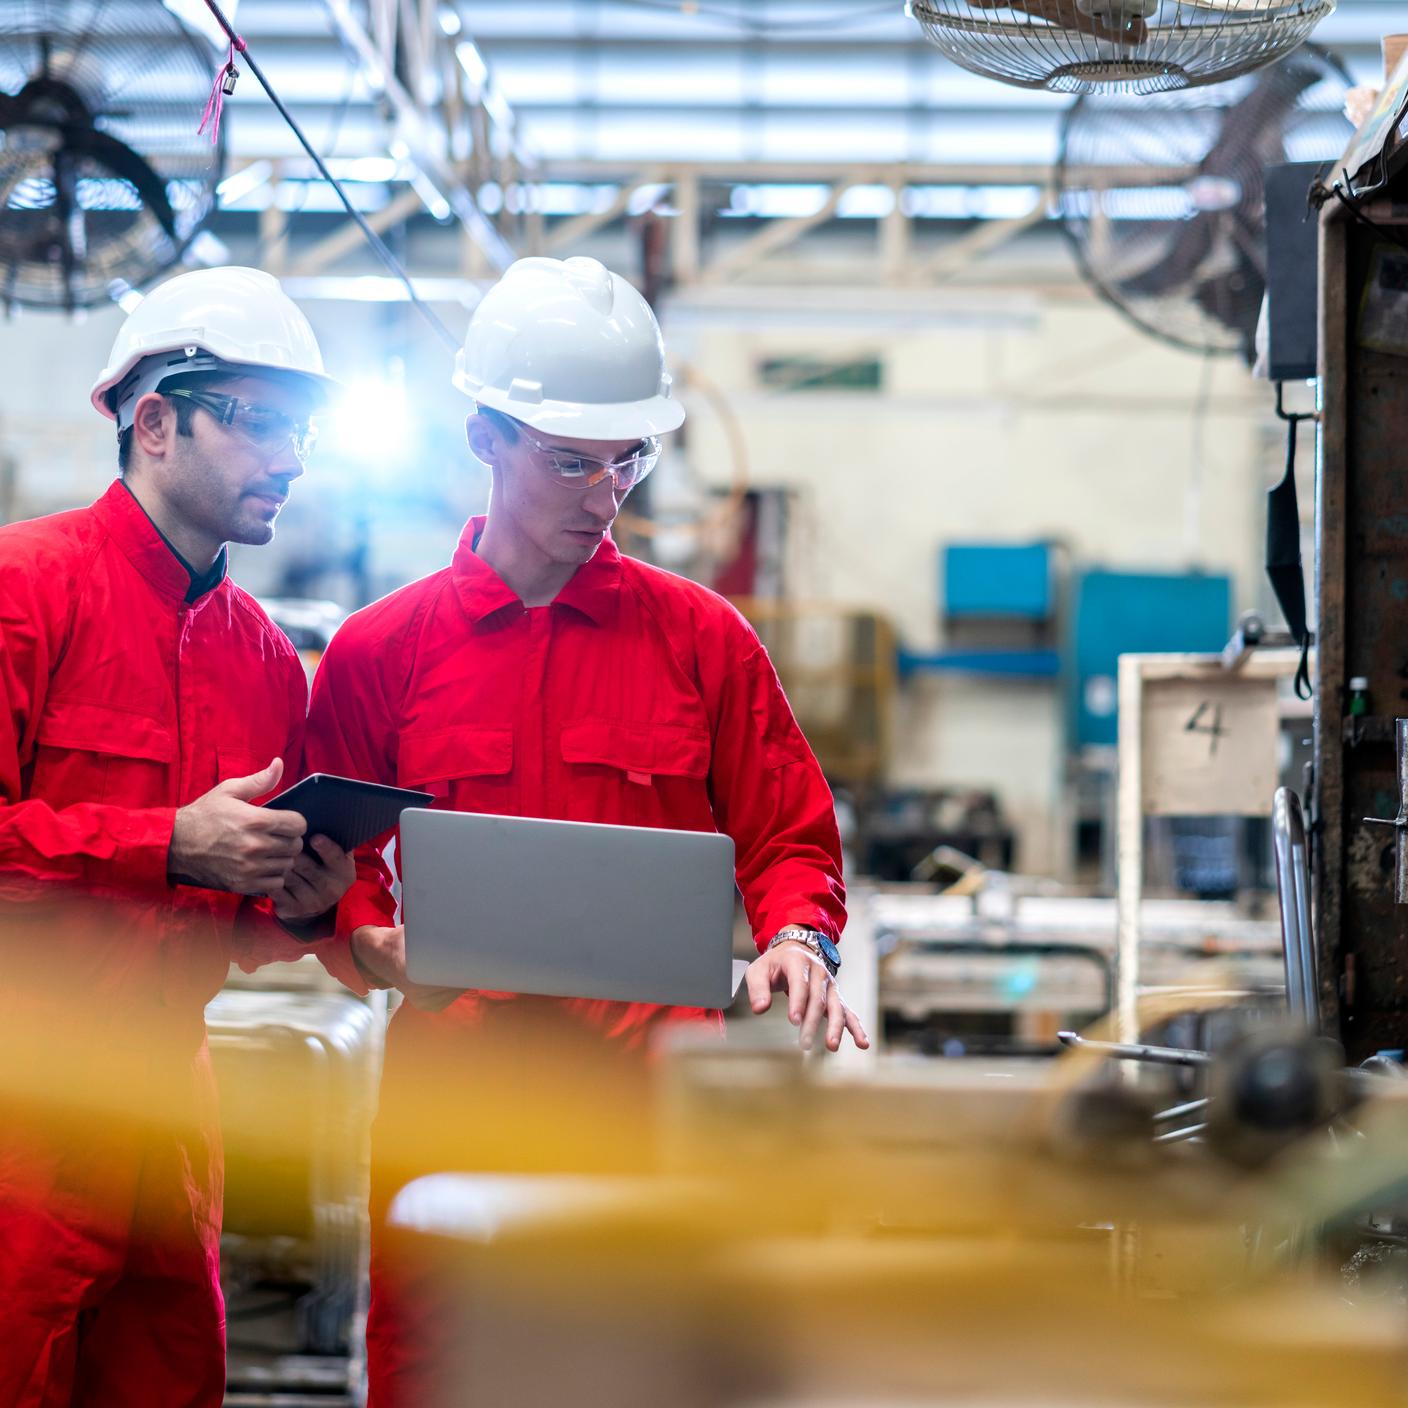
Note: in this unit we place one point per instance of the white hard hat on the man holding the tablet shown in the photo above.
(209, 319)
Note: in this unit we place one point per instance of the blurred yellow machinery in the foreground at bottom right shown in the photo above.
(992, 1230)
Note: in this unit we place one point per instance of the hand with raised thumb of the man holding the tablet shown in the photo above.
(225, 843)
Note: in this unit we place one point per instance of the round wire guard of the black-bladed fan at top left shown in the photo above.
(103, 178)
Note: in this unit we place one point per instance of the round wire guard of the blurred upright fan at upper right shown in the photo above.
(1164, 202)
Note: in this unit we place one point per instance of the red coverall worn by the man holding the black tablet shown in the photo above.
(122, 702)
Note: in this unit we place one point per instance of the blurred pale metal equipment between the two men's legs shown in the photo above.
(298, 1060)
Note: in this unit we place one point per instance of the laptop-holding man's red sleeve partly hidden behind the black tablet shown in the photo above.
(351, 733)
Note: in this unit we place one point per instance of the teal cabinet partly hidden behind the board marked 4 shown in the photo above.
(1136, 613)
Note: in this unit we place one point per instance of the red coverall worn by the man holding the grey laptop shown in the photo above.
(637, 698)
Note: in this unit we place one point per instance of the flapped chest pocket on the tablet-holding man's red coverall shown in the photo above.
(95, 753)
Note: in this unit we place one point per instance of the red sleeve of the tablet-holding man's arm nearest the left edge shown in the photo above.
(92, 846)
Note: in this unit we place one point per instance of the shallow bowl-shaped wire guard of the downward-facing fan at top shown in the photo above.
(1143, 46)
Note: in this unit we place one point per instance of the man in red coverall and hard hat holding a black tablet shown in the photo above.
(146, 703)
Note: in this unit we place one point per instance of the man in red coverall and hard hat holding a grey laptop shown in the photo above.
(544, 675)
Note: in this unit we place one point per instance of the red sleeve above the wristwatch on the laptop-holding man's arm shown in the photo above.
(769, 795)
